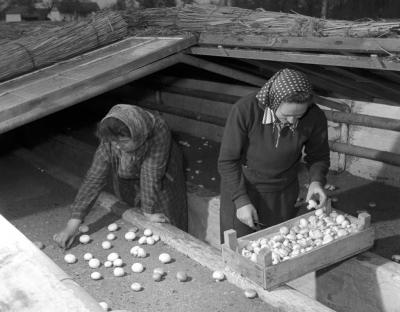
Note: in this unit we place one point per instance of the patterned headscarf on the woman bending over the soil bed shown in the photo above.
(140, 124)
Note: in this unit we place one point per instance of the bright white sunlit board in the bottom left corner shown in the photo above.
(30, 281)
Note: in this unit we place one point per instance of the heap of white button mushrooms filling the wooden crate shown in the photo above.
(319, 229)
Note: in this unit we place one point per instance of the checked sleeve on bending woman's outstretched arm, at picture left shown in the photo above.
(93, 183)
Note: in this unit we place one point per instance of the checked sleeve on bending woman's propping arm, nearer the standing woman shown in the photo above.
(153, 168)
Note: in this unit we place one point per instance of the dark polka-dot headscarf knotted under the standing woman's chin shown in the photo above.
(284, 83)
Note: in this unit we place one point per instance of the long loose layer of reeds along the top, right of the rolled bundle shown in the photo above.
(206, 18)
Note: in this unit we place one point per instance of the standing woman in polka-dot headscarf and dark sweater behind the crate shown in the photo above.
(261, 151)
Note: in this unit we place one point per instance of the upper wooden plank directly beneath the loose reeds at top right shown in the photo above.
(326, 44)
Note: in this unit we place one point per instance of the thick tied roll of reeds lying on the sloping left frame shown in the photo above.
(42, 49)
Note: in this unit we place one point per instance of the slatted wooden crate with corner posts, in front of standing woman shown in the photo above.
(271, 276)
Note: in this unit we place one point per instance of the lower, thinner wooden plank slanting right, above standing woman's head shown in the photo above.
(305, 58)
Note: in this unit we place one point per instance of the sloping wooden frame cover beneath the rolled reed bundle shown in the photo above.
(41, 93)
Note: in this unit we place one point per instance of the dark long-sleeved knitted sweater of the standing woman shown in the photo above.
(248, 153)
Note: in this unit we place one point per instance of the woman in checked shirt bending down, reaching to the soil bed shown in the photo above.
(145, 165)
